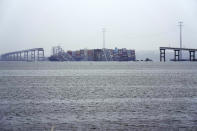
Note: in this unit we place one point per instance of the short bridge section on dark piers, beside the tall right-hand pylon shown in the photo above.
(177, 53)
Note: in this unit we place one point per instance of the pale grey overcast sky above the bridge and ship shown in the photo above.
(75, 24)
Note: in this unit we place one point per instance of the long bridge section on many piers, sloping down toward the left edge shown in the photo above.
(35, 54)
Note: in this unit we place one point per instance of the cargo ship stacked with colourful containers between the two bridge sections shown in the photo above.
(93, 54)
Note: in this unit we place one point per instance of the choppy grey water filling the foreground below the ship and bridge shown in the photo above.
(98, 96)
